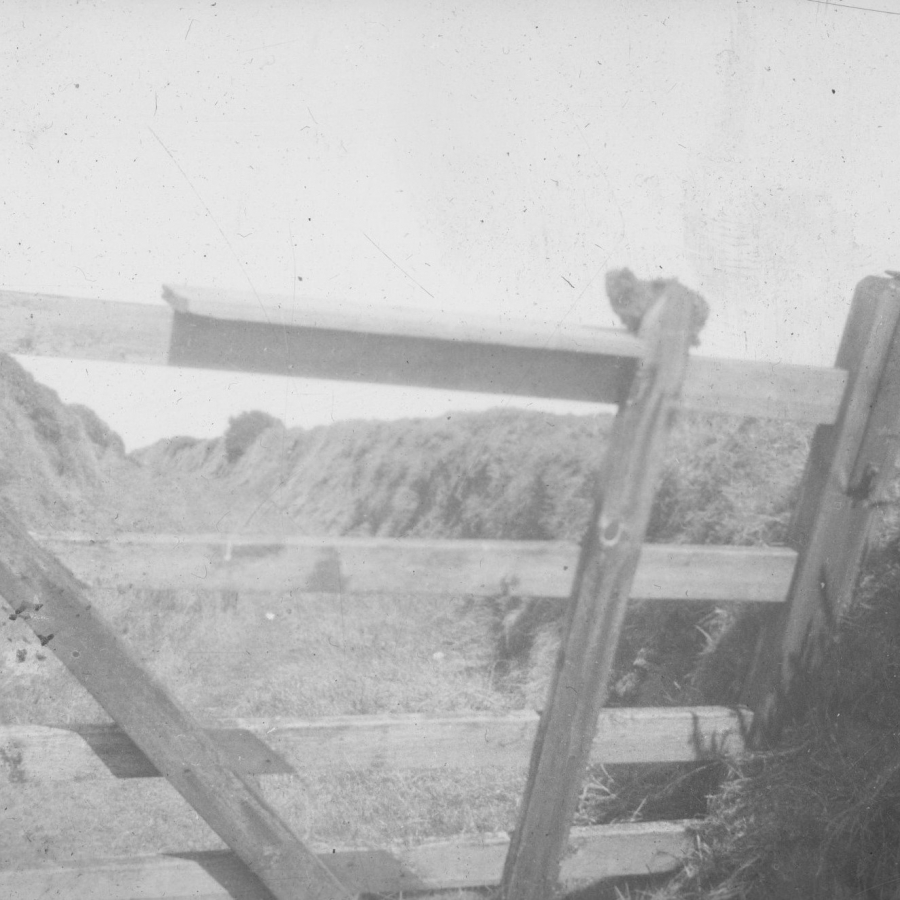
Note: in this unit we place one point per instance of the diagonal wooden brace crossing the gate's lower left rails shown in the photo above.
(43, 594)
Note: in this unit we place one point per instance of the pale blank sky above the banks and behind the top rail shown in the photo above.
(504, 155)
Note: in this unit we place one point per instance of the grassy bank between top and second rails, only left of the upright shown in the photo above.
(495, 474)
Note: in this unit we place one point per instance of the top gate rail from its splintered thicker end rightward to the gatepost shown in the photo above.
(235, 330)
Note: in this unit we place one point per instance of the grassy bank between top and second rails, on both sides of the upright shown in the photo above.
(500, 474)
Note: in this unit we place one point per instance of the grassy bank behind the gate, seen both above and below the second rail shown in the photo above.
(516, 475)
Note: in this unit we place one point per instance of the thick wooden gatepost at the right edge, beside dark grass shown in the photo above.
(849, 466)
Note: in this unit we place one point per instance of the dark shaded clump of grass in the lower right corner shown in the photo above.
(820, 816)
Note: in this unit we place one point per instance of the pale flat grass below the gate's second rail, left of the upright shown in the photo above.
(224, 654)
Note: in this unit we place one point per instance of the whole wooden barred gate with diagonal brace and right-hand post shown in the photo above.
(213, 764)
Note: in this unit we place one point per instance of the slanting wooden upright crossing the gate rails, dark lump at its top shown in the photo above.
(606, 569)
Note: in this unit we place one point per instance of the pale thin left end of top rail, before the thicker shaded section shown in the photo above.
(82, 328)
